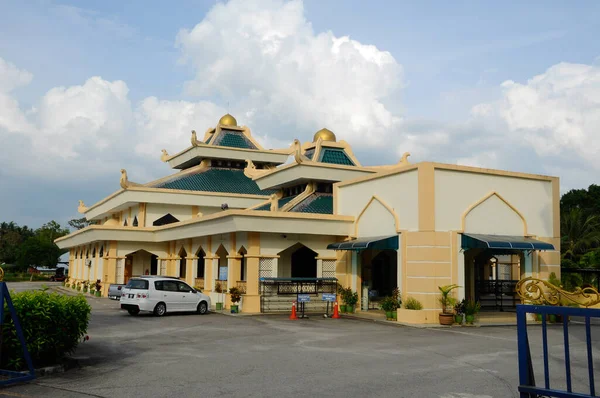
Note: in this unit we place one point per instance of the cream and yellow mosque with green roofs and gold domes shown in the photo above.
(300, 219)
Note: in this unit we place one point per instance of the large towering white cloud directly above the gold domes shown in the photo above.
(265, 57)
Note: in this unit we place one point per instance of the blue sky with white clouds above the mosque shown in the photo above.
(90, 87)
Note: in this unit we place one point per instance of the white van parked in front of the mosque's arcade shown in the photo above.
(159, 294)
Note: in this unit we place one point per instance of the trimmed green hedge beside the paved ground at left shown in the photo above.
(53, 326)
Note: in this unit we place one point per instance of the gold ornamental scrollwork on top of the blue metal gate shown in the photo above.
(541, 292)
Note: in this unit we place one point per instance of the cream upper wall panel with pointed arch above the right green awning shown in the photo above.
(456, 191)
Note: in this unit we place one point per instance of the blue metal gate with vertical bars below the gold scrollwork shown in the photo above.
(527, 386)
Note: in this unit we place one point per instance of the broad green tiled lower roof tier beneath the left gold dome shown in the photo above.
(216, 180)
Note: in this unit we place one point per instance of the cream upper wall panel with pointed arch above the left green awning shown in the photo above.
(398, 191)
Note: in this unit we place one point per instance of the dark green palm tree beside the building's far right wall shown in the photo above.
(580, 232)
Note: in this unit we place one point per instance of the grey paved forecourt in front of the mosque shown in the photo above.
(217, 355)
